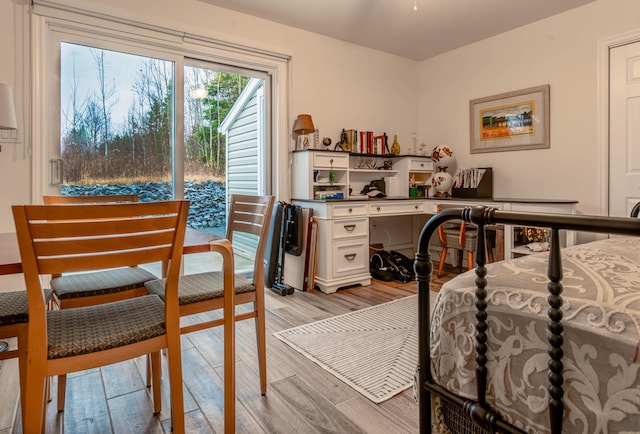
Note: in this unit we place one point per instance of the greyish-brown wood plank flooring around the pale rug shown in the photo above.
(301, 396)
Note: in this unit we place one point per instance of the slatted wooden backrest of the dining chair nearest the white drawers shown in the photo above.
(251, 215)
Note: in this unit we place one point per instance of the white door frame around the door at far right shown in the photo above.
(602, 128)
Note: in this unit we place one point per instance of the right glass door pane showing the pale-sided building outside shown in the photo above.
(223, 147)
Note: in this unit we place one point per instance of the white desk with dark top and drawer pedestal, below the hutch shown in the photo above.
(344, 228)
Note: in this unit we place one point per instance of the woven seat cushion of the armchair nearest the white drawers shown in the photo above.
(194, 288)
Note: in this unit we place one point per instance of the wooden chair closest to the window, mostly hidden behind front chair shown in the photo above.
(86, 289)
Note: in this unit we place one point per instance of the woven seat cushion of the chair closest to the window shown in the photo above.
(100, 282)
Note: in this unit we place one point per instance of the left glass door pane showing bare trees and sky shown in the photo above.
(116, 123)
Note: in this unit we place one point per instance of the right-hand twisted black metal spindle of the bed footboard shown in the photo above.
(556, 406)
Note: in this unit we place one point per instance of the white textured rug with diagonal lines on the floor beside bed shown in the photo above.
(374, 350)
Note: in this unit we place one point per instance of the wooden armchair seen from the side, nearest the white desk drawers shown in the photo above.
(248, 217)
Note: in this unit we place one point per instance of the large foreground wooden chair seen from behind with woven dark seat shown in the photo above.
(62, 239)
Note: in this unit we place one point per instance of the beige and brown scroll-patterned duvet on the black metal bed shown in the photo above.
(601, 338)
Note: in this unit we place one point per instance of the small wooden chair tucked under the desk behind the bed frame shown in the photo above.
(463, 238)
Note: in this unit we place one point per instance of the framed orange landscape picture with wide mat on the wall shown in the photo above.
(510, 121)
